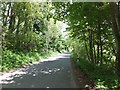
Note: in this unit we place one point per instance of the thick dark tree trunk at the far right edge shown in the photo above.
(116, 29)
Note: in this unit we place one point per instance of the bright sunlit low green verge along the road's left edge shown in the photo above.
(12, 60)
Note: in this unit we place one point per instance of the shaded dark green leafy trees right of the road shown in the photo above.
(91, 32)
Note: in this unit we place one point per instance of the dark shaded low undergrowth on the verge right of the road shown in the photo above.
(103, 76)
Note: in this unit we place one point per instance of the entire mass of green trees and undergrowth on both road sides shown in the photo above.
(31, 28)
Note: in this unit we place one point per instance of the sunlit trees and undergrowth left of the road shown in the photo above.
(28, 33)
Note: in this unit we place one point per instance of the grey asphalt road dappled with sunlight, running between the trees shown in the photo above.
(54, 72)
